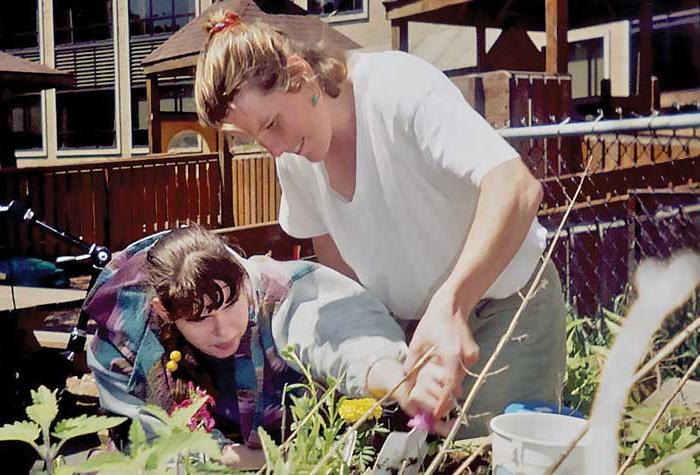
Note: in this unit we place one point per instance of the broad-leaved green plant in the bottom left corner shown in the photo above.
(41, 415)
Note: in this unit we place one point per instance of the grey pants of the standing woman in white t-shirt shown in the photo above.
(534, 359)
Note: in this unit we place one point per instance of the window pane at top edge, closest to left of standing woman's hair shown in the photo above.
(151, 17)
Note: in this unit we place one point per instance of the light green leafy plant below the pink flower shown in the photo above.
(176, 447)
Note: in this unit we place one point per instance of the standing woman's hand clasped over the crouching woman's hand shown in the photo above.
(440, 380)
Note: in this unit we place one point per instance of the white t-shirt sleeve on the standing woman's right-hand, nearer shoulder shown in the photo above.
(452, 135)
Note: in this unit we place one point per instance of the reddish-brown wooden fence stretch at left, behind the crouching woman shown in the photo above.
(111, 203)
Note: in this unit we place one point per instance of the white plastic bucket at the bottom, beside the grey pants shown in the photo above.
(528, 443)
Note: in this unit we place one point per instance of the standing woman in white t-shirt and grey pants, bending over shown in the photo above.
(401, 185)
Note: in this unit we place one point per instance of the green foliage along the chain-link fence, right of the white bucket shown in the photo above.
(588, 344)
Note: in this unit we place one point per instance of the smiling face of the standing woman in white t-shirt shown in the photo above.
(284, 121)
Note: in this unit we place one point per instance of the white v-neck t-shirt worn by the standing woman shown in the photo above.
(421, 152)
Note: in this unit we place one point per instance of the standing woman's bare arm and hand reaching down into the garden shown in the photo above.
(508, 202)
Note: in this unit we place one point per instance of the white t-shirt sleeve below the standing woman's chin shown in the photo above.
(299, 213)
